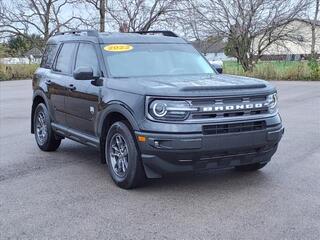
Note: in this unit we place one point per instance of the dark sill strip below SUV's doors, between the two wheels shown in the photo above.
(76, 135)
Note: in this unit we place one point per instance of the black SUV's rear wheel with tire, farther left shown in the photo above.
(46, 141)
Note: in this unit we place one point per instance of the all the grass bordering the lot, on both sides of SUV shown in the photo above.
(269, 70)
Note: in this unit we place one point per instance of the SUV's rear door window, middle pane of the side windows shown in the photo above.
(65, 58)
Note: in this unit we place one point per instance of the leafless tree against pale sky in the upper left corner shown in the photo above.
(44, 17)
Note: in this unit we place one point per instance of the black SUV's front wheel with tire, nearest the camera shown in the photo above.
(131, 173)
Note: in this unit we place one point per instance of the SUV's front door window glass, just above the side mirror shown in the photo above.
(87, 57)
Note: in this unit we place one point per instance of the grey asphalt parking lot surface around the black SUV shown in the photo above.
(68, 194)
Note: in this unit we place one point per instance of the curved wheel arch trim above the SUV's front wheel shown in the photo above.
(116, 107)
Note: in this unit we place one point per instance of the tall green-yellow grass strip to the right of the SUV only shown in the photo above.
(273, 70)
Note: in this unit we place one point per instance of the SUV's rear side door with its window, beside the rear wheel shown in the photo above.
(58, 78)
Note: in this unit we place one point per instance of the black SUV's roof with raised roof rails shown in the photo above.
(115, 38)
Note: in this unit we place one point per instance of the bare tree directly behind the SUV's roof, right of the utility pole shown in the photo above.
(139, 15)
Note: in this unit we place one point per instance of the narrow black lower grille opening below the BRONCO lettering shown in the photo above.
(233, 127)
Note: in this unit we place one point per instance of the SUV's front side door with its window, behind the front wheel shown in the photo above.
(83, 98)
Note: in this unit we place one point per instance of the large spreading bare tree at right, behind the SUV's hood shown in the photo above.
(251, 25)
